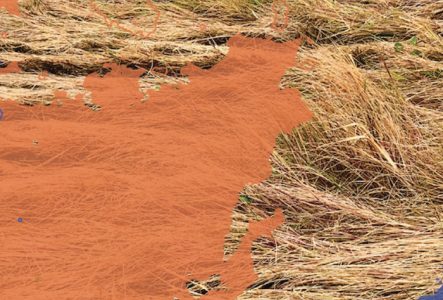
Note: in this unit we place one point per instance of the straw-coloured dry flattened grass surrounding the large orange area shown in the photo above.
(361, 185)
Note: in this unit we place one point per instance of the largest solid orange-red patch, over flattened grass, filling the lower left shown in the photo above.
(134, 200)
